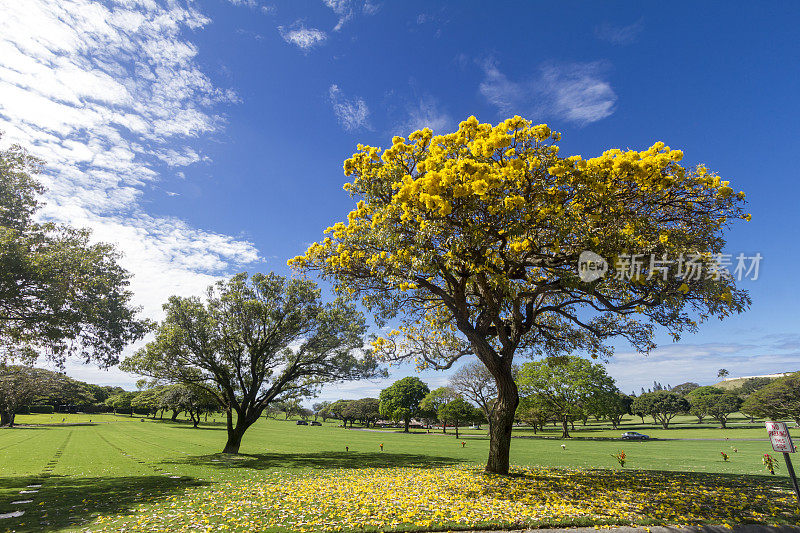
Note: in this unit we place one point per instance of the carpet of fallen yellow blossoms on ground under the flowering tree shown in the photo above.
(383, 499)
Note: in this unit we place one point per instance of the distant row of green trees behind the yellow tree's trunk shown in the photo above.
(563, 391)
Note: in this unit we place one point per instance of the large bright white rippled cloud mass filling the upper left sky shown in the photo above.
(111, 96)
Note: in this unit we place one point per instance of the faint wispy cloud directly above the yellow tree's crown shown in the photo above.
(576, 92)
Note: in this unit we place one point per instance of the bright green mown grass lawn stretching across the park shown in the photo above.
(116, 466)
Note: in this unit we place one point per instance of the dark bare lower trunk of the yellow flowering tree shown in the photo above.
(502, 421)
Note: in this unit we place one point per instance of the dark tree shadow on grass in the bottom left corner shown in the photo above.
(73, 502)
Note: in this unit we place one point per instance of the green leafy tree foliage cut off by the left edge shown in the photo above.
(60, 294)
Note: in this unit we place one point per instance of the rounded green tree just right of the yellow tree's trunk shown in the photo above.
(565, 385)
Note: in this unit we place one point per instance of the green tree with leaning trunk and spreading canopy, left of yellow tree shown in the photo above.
(255, 341)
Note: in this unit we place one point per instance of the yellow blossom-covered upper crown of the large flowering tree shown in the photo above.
(486, 198)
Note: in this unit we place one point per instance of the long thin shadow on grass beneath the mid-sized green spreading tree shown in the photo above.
(263, 461)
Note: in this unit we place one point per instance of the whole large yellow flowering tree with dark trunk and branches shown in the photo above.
(470, 241)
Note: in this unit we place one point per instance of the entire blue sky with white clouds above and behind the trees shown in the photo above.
(207, 138)
